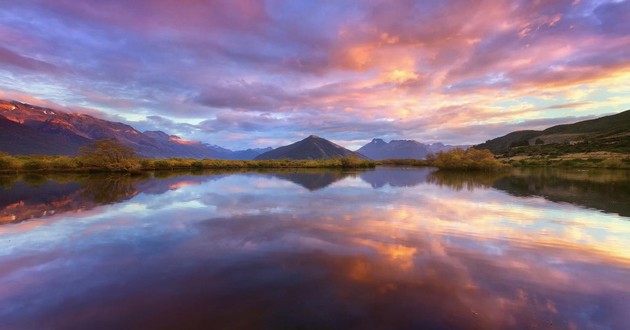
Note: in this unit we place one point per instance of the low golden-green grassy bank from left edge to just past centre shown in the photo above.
(18, 164)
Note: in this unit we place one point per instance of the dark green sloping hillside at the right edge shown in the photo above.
(609, 133)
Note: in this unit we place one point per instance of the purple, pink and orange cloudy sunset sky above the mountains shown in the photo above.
(241, 74)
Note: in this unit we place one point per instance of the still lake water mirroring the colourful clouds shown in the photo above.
(388, 248)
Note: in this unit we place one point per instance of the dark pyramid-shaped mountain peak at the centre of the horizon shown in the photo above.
(313, 147)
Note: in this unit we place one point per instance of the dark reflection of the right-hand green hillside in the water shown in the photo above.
(605, 190)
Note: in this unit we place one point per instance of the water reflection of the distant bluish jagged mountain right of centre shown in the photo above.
(396, 177)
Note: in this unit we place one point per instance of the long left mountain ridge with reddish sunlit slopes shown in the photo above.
(27, 129)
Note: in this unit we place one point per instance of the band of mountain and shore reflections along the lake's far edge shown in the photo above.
(33, 196)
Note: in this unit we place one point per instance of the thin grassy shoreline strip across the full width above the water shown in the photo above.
(65, 164)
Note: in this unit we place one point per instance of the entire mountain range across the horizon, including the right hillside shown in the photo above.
(27, 130)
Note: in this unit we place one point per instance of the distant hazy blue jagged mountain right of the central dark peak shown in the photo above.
(408, 149)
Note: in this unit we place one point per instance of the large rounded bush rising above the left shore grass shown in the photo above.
(109, 154)
